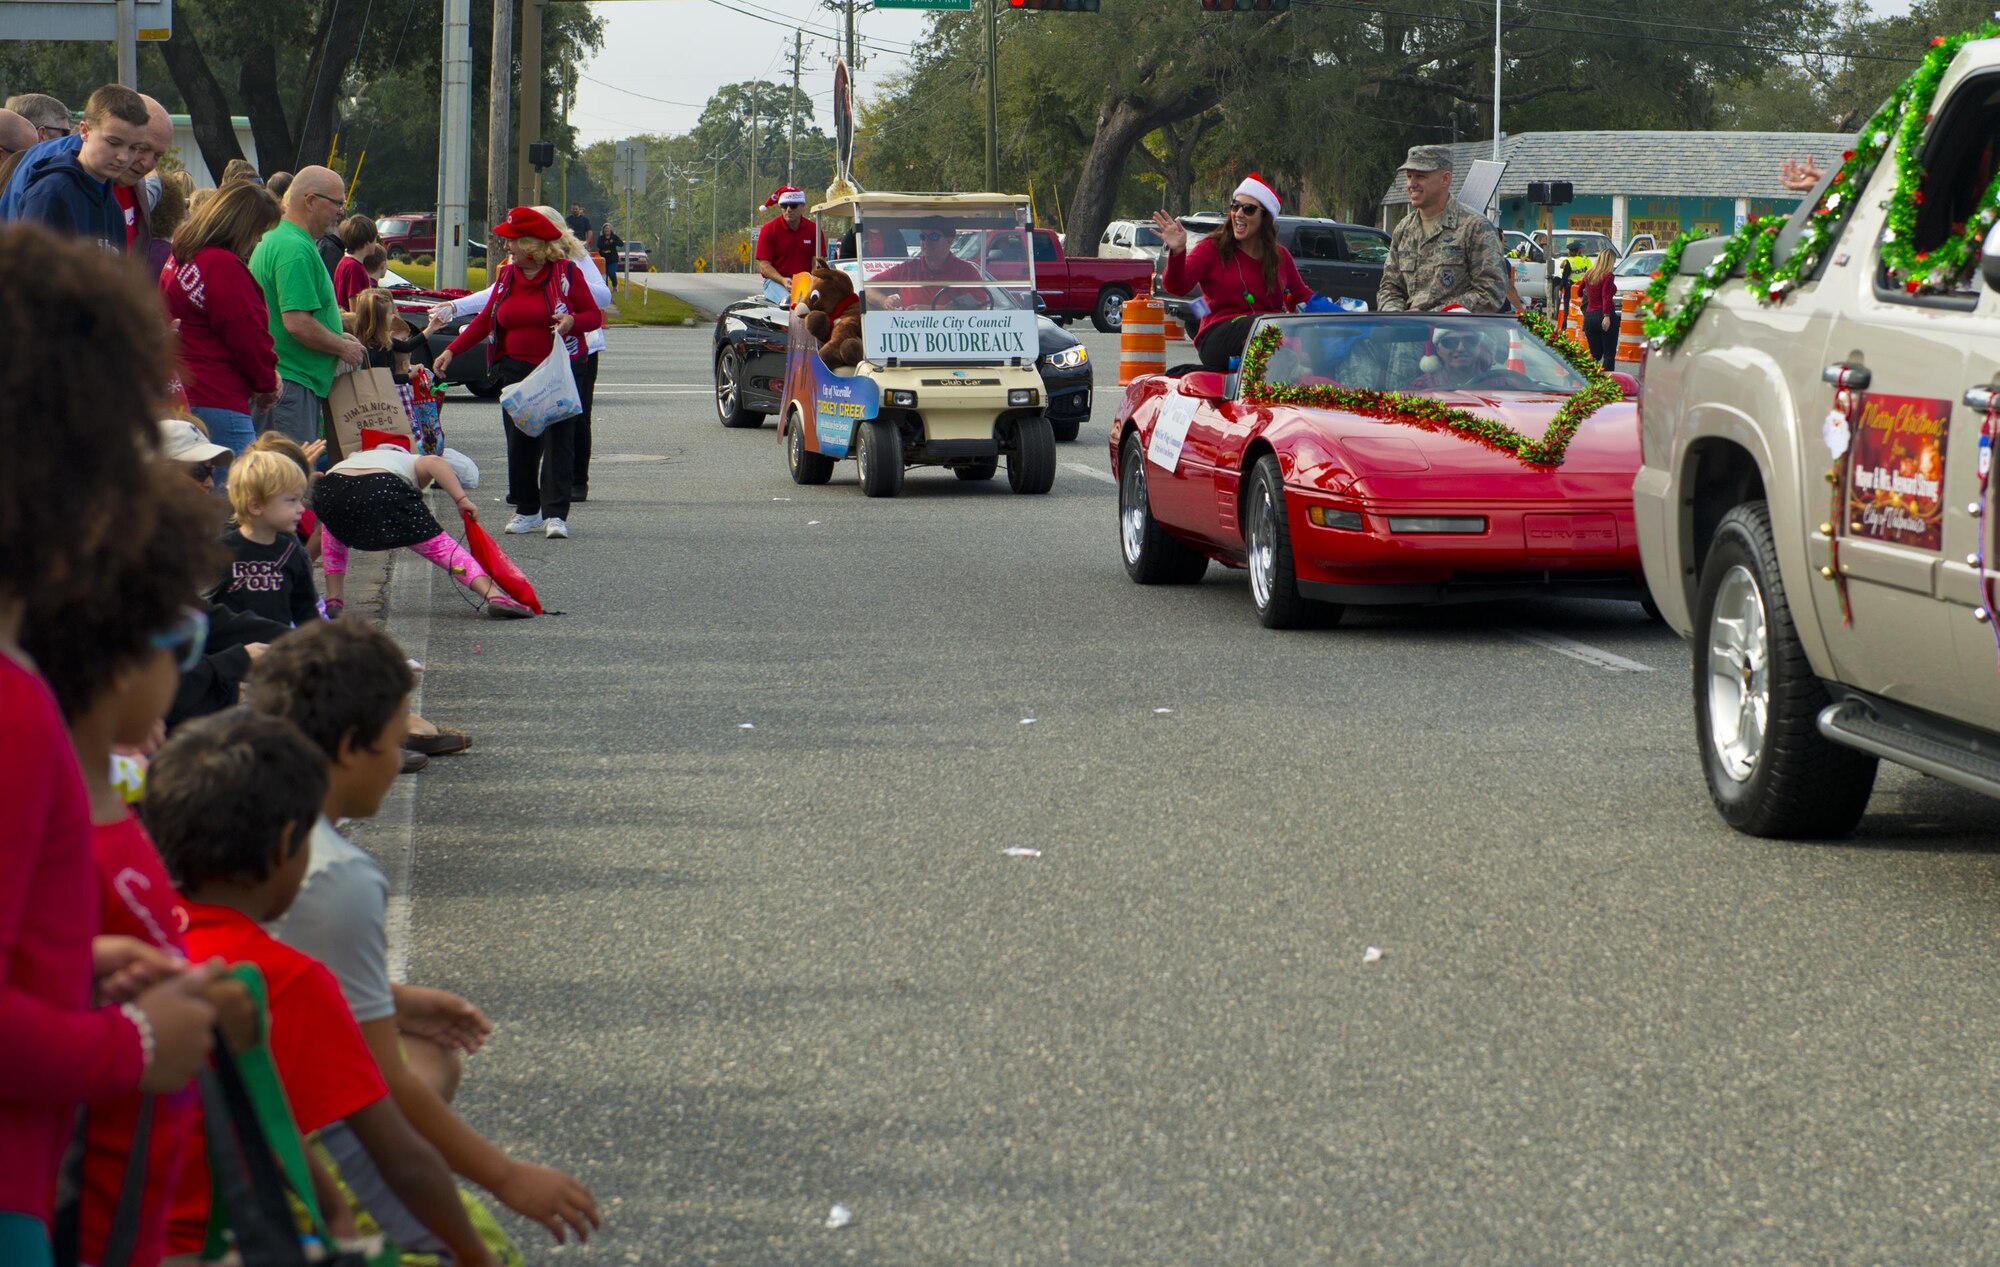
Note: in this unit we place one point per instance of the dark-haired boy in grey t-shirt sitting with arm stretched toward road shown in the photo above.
(341, 684)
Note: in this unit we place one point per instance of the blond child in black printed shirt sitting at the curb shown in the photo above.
(269, 569)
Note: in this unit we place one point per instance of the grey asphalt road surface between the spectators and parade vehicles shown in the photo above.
(729, 868)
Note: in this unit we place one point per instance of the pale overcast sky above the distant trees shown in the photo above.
(681, 51)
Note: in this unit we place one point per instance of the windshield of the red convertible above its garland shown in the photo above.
(1419, 353)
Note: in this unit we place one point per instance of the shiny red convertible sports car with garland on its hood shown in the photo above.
(1385, 459)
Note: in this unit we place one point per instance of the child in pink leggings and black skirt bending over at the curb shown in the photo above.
(373, 503)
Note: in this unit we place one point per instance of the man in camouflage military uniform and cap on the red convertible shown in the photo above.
(1443, 253)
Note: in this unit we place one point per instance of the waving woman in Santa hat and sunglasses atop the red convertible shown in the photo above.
(1239, 269)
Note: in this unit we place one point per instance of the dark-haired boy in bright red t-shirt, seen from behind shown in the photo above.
(231, 802)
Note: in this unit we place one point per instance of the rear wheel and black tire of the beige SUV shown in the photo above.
(1757, 702)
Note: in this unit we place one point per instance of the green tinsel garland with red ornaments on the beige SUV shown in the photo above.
(1905, 115)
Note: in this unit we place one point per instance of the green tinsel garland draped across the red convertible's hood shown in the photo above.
(1425, 413)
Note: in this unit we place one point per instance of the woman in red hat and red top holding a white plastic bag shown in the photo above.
(539, 297)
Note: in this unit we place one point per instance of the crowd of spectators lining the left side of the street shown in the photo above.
(187, 728)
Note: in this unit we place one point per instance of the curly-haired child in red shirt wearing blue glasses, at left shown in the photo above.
(113, 662)
